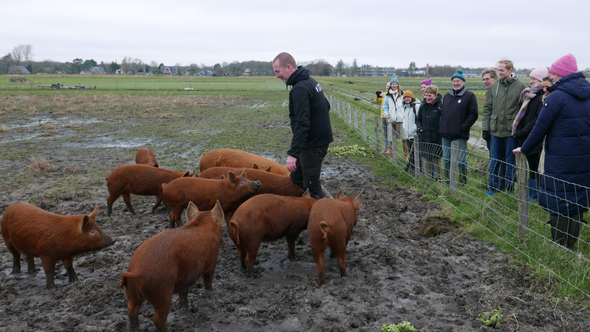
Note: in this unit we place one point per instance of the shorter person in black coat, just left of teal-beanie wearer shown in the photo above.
(427, 126)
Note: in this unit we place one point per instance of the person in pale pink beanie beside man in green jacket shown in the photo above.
(531, 103)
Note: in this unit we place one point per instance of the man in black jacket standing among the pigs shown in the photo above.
(309, 112)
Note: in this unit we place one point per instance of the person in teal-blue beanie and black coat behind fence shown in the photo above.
(459, 113)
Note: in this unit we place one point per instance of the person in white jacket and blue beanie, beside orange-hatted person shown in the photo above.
(393, 111)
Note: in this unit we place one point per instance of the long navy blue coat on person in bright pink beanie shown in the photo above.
(564, 121)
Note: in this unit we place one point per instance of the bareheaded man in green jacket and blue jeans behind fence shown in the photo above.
(499, 112)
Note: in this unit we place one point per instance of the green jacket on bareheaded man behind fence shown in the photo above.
(501, 106)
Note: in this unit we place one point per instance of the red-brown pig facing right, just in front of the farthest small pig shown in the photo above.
(139, 180)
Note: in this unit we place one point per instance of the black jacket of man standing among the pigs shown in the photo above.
(309, 112)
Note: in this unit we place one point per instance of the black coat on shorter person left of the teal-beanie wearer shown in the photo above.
(427, 124)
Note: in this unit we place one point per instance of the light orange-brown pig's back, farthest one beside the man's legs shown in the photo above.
(238, 158)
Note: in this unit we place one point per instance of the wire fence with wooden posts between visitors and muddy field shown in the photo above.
(462, 180)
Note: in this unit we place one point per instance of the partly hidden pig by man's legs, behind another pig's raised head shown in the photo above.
(271, 183)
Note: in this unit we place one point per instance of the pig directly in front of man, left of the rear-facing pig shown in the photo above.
(265, 218)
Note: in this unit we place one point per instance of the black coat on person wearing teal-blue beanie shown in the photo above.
(459, 113)
